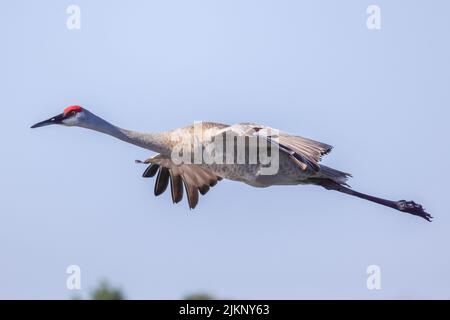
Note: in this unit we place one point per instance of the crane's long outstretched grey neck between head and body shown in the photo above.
(150, 141)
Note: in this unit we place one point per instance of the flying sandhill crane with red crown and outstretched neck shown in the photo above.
(298, 159)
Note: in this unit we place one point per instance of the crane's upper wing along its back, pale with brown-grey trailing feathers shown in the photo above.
(305, 152)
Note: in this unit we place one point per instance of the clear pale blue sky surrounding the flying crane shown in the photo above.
(73, 196)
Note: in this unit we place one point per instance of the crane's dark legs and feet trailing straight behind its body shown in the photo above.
(402, 205)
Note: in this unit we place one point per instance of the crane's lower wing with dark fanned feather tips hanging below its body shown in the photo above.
(194, 178)
